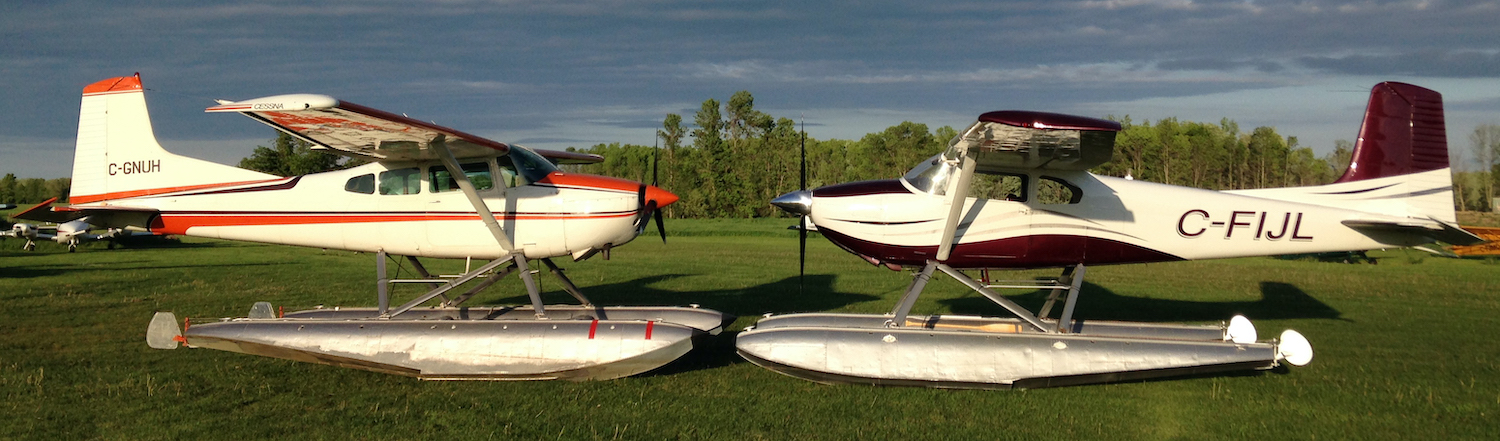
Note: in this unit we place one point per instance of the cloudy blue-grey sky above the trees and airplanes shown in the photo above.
(557, 74)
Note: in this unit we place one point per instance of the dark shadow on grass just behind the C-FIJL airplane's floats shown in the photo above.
(1277, 302)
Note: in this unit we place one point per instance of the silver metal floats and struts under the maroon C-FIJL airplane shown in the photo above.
(1025, 352)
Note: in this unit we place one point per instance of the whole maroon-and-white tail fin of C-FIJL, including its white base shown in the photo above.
(1400, 163)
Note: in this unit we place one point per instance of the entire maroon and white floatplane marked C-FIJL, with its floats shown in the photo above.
(1013, 191)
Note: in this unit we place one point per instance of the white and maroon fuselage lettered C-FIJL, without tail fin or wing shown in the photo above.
(1064, 218)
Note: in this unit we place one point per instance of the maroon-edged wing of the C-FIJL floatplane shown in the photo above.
(1027, 140)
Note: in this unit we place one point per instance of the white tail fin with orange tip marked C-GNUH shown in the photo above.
(118, 155)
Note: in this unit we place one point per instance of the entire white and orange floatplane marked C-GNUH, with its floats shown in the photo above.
(430, 191)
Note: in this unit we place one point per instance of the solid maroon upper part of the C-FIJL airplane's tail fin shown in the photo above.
(1403, 134)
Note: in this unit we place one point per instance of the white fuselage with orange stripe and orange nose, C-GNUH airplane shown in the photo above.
(413, 209)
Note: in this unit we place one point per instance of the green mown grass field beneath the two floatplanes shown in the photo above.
(1406, 349)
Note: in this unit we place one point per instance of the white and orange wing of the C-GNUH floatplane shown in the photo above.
(358, 131)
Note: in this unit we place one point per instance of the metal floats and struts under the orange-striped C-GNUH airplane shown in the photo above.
(449, 341)
